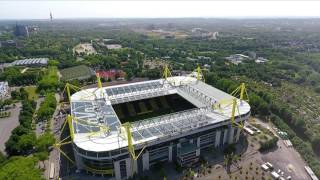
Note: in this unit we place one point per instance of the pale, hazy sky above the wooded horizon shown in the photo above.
(153, 8)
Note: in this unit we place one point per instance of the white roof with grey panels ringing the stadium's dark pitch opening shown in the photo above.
(97, 127)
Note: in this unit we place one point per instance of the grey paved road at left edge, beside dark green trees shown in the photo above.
(8, 124)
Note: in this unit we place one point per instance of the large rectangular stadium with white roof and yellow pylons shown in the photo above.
(122, 130)
